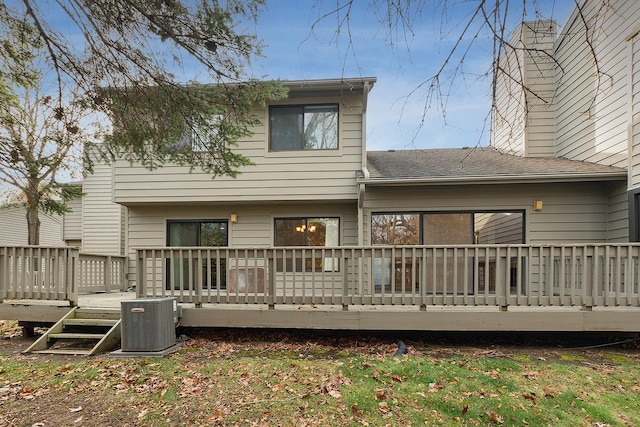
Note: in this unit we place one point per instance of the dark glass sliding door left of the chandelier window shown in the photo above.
(191, 233)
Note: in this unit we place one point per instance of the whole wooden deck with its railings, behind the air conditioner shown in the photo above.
(517, 288)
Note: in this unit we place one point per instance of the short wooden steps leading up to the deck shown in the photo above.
(81, 332)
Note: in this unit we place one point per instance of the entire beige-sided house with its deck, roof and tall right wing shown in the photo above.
(529, 234)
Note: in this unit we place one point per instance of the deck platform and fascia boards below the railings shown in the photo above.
(364, 317)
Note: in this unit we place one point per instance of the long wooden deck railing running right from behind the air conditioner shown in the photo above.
(481, 275)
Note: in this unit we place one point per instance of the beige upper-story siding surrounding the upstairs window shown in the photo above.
(302, 175)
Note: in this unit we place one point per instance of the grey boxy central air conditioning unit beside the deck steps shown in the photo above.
(148, 324)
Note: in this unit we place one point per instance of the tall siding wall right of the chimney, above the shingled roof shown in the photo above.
(592, 120)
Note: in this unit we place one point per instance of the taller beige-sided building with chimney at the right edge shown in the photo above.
(580, 108)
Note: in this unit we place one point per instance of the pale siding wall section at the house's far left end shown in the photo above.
(101, 218)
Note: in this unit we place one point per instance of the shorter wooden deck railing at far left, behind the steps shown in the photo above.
(56, 273)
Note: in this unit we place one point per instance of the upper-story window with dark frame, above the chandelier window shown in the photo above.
(303, 127)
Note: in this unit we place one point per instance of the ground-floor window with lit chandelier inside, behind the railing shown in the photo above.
(307, 232)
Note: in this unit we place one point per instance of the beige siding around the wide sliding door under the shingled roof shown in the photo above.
(575, 212)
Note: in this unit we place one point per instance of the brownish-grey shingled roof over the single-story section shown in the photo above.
(479, 165)
